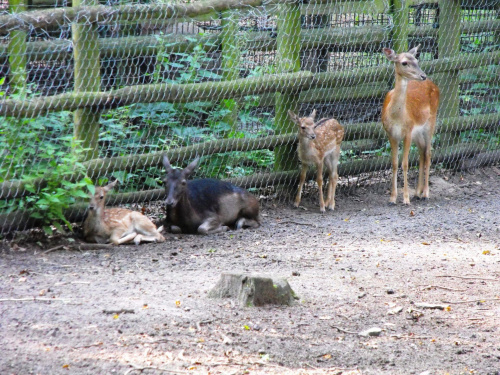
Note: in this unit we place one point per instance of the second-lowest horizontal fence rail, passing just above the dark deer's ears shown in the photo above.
(374, 130)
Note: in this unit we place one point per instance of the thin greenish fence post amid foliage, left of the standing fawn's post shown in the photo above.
(231, 55)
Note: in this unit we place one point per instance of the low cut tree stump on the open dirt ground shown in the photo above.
(253, 290)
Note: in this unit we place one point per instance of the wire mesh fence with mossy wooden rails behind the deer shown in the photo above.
(102, 89)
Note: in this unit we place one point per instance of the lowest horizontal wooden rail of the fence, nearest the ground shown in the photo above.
(21, 220)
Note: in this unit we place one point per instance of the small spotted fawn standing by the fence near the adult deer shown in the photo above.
(319, 142)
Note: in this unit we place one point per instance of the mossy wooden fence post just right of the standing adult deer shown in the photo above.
(448, 47)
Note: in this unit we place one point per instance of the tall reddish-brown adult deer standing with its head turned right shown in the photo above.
(409, 114)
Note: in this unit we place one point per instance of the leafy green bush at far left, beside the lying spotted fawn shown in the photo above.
(38, 149)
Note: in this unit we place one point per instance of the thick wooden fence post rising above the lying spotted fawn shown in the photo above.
(87, 78)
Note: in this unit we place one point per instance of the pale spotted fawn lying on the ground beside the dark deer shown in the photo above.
(116, 225)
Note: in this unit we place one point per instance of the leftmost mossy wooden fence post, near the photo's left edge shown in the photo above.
(17, 52)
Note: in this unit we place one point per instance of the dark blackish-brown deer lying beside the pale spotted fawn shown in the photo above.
(207, 205)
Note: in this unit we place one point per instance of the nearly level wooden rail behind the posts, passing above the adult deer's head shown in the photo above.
(346, 39)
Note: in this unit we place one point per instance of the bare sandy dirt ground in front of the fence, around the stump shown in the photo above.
(131, 310)
